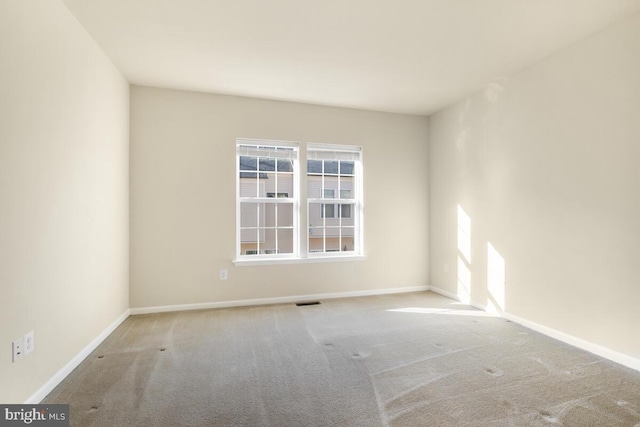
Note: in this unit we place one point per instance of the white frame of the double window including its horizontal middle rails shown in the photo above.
(301, 252)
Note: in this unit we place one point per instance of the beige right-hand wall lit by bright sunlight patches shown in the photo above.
(545, 165)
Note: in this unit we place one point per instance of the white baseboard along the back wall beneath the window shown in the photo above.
(276, 300)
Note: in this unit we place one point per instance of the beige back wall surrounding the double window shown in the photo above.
(183, 197)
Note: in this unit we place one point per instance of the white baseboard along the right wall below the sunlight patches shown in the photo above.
(607, 353)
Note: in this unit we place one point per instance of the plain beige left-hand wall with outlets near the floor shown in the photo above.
(64, 191)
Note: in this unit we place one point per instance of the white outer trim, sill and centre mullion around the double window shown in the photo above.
(300, 179)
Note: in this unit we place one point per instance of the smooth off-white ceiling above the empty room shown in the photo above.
(406, 56)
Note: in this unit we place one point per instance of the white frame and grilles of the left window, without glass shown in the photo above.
(245, 147)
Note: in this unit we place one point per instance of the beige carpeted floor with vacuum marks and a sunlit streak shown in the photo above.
(414, 359)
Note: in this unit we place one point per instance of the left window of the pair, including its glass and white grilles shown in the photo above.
(267, 199)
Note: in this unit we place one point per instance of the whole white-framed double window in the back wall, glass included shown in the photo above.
(269, 201)
